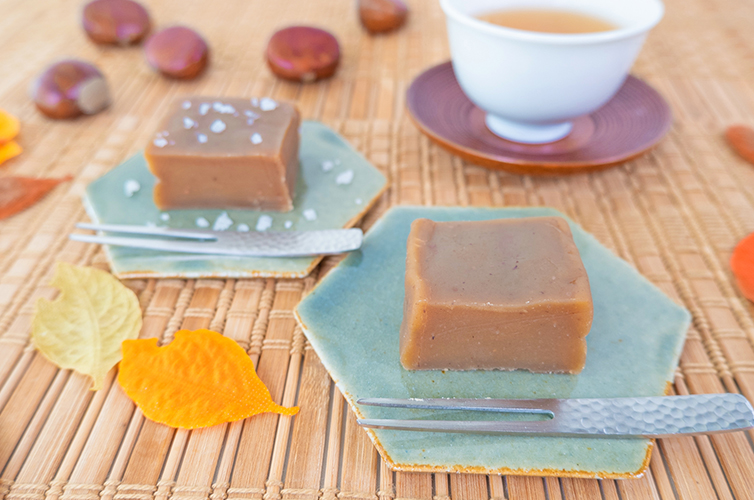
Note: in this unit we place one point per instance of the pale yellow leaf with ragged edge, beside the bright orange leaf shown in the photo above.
(84, 327)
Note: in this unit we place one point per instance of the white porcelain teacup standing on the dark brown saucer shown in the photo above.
(533, 84)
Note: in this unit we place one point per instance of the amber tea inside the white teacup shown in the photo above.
(547, 21)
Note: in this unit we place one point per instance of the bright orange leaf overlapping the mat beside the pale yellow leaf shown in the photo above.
(200, 379)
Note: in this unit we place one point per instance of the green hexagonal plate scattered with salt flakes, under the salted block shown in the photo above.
(327, 197)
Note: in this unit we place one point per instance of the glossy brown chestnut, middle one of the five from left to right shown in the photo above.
(177, 52)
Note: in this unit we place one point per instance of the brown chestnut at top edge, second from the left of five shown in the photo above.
(116, 22)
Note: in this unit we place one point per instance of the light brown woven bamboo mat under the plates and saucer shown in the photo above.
(674, 214)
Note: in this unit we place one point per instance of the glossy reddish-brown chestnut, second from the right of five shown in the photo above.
(303, 53)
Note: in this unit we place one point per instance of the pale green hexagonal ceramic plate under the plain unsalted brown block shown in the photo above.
(352, 319)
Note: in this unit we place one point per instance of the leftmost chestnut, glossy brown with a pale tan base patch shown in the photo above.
(70, 88)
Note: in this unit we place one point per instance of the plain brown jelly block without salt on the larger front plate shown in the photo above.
(501, 294)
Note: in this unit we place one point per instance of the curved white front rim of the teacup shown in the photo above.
(555, 38)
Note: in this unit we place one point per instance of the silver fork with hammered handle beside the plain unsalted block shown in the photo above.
(651, 417)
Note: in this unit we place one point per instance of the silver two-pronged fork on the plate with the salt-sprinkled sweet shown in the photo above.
(248, 244)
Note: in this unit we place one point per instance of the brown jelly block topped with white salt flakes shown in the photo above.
(214, 152)
